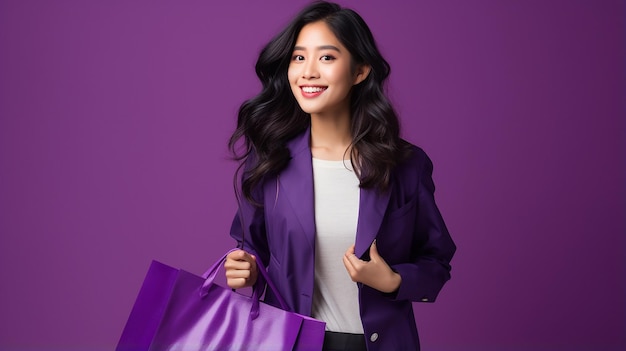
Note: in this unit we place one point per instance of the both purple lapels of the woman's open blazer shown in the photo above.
(297, 182)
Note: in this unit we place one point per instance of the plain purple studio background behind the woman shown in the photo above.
(114, 118)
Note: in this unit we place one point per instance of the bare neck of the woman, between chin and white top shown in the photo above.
(330, 136)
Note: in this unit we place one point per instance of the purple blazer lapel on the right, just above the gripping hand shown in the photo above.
(372, 207)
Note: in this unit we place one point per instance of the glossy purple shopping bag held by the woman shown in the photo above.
(177, 310)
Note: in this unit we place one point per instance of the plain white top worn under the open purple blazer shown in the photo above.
(335, 297)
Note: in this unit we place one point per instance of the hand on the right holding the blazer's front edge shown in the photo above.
(375, 273)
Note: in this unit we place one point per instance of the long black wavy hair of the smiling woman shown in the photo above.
(273, 117)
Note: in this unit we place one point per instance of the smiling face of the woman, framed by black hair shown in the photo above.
(321, 73)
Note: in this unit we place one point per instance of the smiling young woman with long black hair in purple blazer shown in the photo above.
(336, 205)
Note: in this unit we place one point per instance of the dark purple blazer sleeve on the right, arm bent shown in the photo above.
(433, 248)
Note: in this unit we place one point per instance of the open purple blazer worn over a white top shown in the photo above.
(410, 232)
